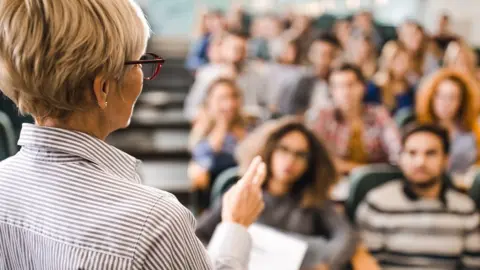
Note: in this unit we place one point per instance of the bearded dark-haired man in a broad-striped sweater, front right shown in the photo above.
(421, 222)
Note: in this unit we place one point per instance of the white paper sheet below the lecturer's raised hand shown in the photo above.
(273, 249)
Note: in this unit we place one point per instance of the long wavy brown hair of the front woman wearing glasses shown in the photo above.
(312, 188)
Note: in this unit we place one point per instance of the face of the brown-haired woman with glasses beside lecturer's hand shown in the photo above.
(290, 158)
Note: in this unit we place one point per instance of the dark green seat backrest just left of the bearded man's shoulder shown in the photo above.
(366, 178)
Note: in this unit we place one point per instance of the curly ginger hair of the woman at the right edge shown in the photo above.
(469, 107)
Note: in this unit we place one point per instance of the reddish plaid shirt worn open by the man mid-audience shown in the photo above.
(380, 136)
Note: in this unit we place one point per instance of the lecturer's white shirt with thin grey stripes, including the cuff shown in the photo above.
(70, 201)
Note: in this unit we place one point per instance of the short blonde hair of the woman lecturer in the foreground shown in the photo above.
(52, 50)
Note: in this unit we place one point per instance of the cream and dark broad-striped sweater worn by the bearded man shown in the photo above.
(404, 231)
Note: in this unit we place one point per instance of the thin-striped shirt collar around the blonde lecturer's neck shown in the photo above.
(81, 145)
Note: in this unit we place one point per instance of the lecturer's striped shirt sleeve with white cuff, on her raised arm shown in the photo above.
(169, 242)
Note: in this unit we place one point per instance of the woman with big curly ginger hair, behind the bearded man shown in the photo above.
(450, 98)
